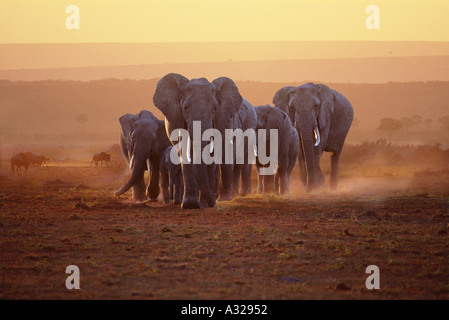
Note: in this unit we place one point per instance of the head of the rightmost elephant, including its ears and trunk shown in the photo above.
(310, 108)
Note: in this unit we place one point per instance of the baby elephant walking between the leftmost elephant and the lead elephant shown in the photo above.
(171, 179)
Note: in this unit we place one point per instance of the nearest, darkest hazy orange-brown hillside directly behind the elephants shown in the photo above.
(50, 107)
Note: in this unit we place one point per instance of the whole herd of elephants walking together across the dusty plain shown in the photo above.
(310, 119)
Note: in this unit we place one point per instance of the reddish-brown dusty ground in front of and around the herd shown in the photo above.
(297, 247)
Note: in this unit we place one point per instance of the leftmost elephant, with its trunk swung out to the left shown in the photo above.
(143, 140)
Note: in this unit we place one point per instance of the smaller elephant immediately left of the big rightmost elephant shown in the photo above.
(269, 118)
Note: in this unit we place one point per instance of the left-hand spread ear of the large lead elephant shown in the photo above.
(167, 98)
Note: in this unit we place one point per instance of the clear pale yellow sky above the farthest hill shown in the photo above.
(39, 21)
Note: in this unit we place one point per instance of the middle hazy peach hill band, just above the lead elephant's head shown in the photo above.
(344, 70)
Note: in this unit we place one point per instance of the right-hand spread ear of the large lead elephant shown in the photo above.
(228, 96)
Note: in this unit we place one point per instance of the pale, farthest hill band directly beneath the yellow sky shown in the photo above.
(74, 55)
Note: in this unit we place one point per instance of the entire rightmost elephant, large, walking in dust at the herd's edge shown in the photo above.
(322, 117)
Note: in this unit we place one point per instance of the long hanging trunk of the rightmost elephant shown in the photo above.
(308, 144)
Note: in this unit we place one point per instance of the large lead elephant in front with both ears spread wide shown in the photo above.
(214, 104)
